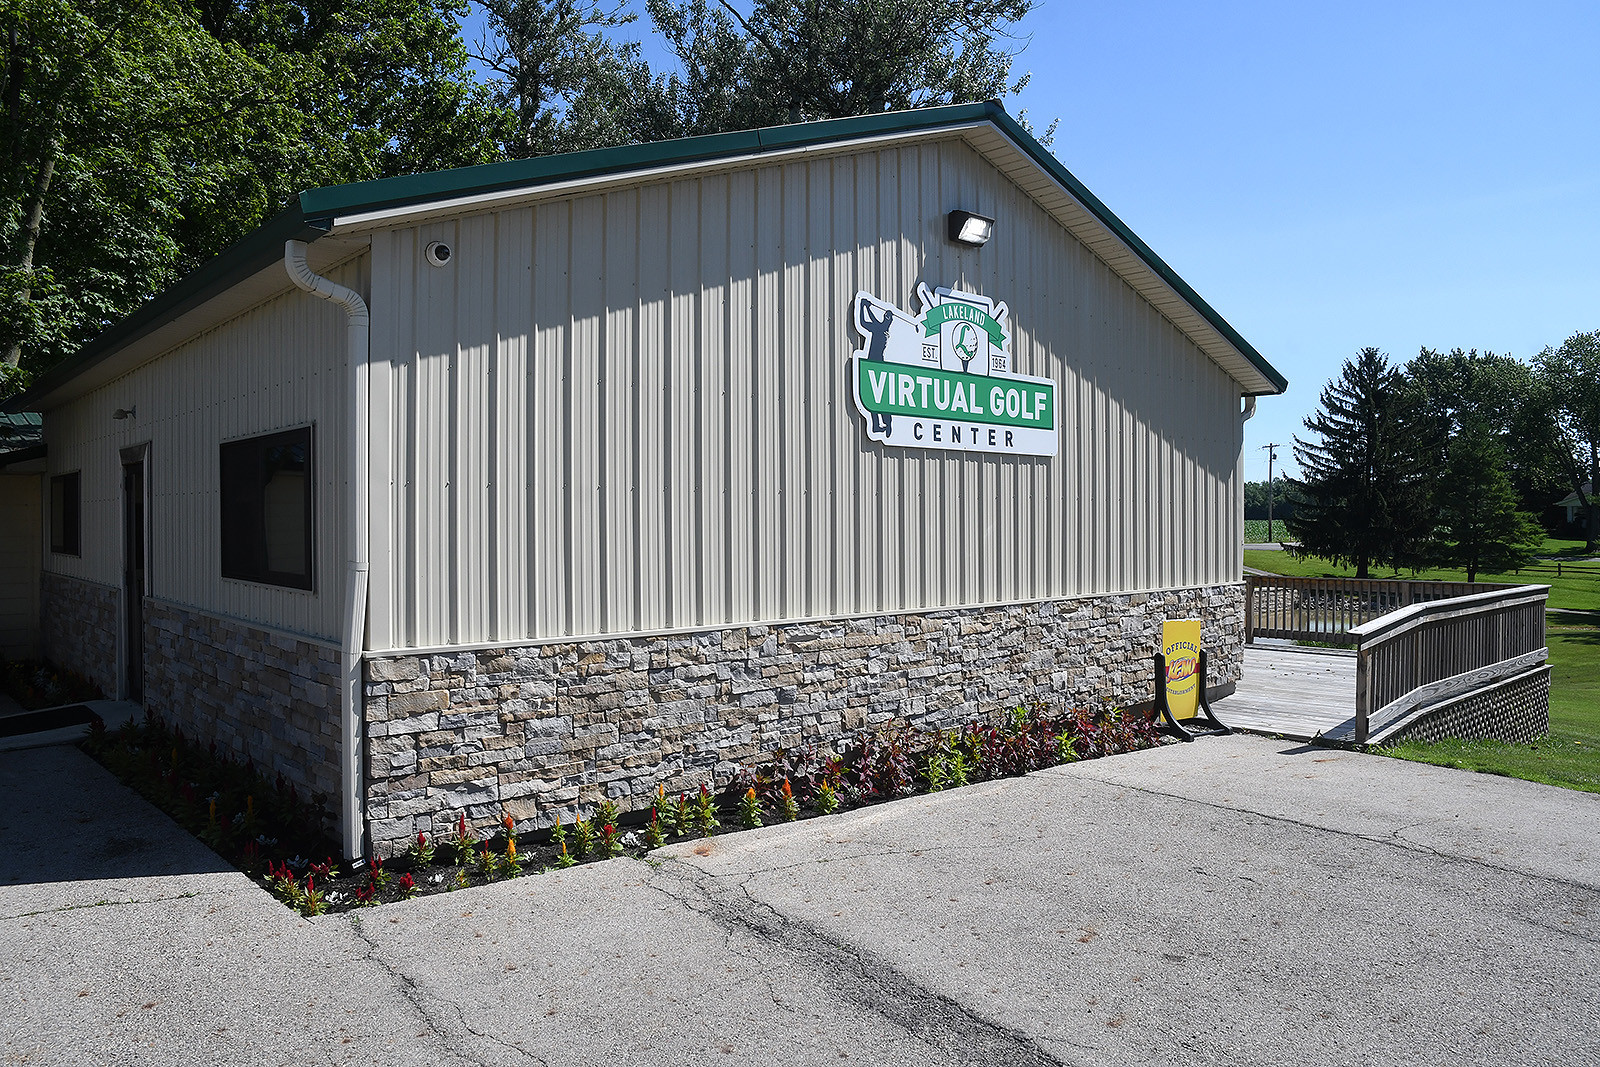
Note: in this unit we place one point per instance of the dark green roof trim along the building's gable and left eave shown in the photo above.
(314, 212)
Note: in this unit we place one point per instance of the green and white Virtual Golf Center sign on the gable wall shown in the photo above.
(943, 378)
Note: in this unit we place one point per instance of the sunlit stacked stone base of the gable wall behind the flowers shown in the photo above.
(540, 730)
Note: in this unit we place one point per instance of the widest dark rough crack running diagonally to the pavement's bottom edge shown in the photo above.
(857, 977)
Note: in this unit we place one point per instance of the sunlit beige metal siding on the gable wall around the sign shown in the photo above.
(630, 412)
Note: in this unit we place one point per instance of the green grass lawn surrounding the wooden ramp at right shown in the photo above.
(1570, 756)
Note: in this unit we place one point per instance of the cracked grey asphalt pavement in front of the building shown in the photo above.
(1234, 901)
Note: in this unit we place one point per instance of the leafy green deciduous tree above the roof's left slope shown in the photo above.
(142, 137)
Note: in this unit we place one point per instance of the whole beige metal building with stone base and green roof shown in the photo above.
(623, 468)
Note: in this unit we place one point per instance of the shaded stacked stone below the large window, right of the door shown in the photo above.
(262, 697)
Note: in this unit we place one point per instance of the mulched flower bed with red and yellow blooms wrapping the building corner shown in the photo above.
(273, 834)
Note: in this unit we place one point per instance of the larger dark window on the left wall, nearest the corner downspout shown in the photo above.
(268, 510)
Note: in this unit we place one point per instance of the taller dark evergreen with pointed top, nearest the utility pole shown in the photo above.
(1364, 495)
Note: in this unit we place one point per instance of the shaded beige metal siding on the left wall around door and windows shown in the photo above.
(276, 367)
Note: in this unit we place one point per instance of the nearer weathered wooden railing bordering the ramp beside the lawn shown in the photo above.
(1442, 649)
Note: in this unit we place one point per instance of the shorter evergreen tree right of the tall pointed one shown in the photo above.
(1479, 524)
